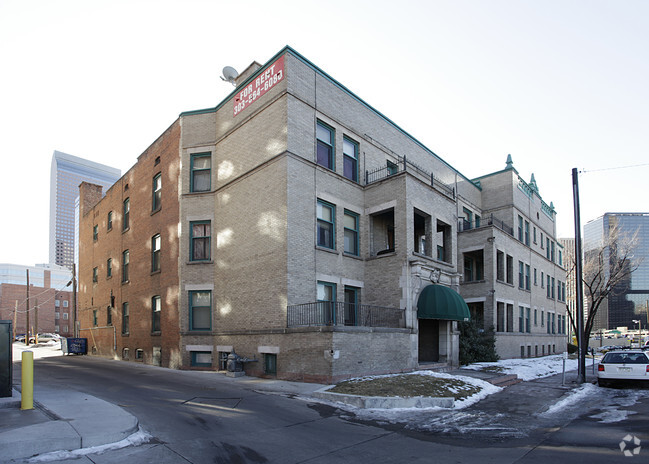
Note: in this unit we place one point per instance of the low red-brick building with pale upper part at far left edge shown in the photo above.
(50, 307)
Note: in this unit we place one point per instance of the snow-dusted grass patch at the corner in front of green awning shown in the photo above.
(407, 386)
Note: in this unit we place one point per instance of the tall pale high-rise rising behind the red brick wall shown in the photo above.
(66, 174)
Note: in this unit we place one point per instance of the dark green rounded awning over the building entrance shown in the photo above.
(439, 302)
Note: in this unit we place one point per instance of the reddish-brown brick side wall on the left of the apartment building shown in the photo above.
(105, 337)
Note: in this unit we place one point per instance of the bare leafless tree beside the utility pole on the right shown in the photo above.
(606, 272)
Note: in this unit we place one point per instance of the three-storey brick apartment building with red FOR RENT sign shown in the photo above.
(296, 225)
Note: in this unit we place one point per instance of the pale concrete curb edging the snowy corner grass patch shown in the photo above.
(383, 402)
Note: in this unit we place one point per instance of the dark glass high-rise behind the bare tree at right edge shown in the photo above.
(628, 302)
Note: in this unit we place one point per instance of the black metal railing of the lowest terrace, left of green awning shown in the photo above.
(331, 313)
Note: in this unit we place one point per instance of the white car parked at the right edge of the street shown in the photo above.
(623, 365)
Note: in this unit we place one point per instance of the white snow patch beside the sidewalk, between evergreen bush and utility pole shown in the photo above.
(528, 368)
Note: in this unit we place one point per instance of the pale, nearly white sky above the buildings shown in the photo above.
(558, 84)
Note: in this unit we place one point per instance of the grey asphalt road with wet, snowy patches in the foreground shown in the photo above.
(200, 417)
